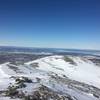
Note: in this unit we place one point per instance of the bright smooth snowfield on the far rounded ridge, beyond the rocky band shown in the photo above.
(83, 70)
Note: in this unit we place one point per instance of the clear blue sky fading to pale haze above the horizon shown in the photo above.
(50, 23)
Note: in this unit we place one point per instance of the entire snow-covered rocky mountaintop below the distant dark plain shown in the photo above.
(52, 77)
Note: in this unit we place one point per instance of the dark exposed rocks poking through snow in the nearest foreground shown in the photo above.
(41, 93)
